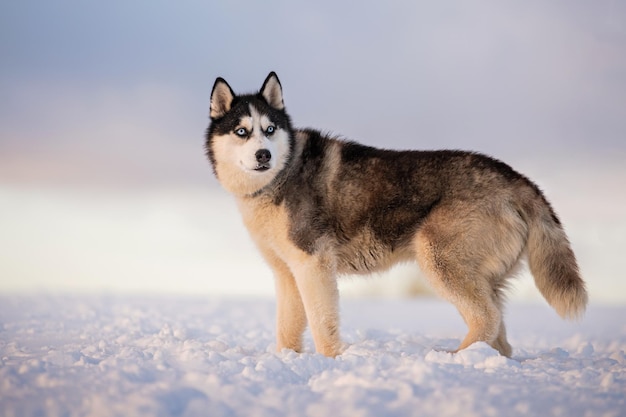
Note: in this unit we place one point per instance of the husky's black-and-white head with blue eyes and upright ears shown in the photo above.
(250, 139)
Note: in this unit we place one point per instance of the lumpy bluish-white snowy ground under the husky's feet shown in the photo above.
(182, 356)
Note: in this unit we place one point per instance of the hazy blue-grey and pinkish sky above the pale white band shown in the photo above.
(118, 91)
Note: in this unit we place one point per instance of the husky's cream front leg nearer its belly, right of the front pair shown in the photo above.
(320, 296)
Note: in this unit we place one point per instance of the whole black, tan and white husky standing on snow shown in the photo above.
(318, 207)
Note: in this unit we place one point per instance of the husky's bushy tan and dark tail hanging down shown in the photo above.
(553, 264)
